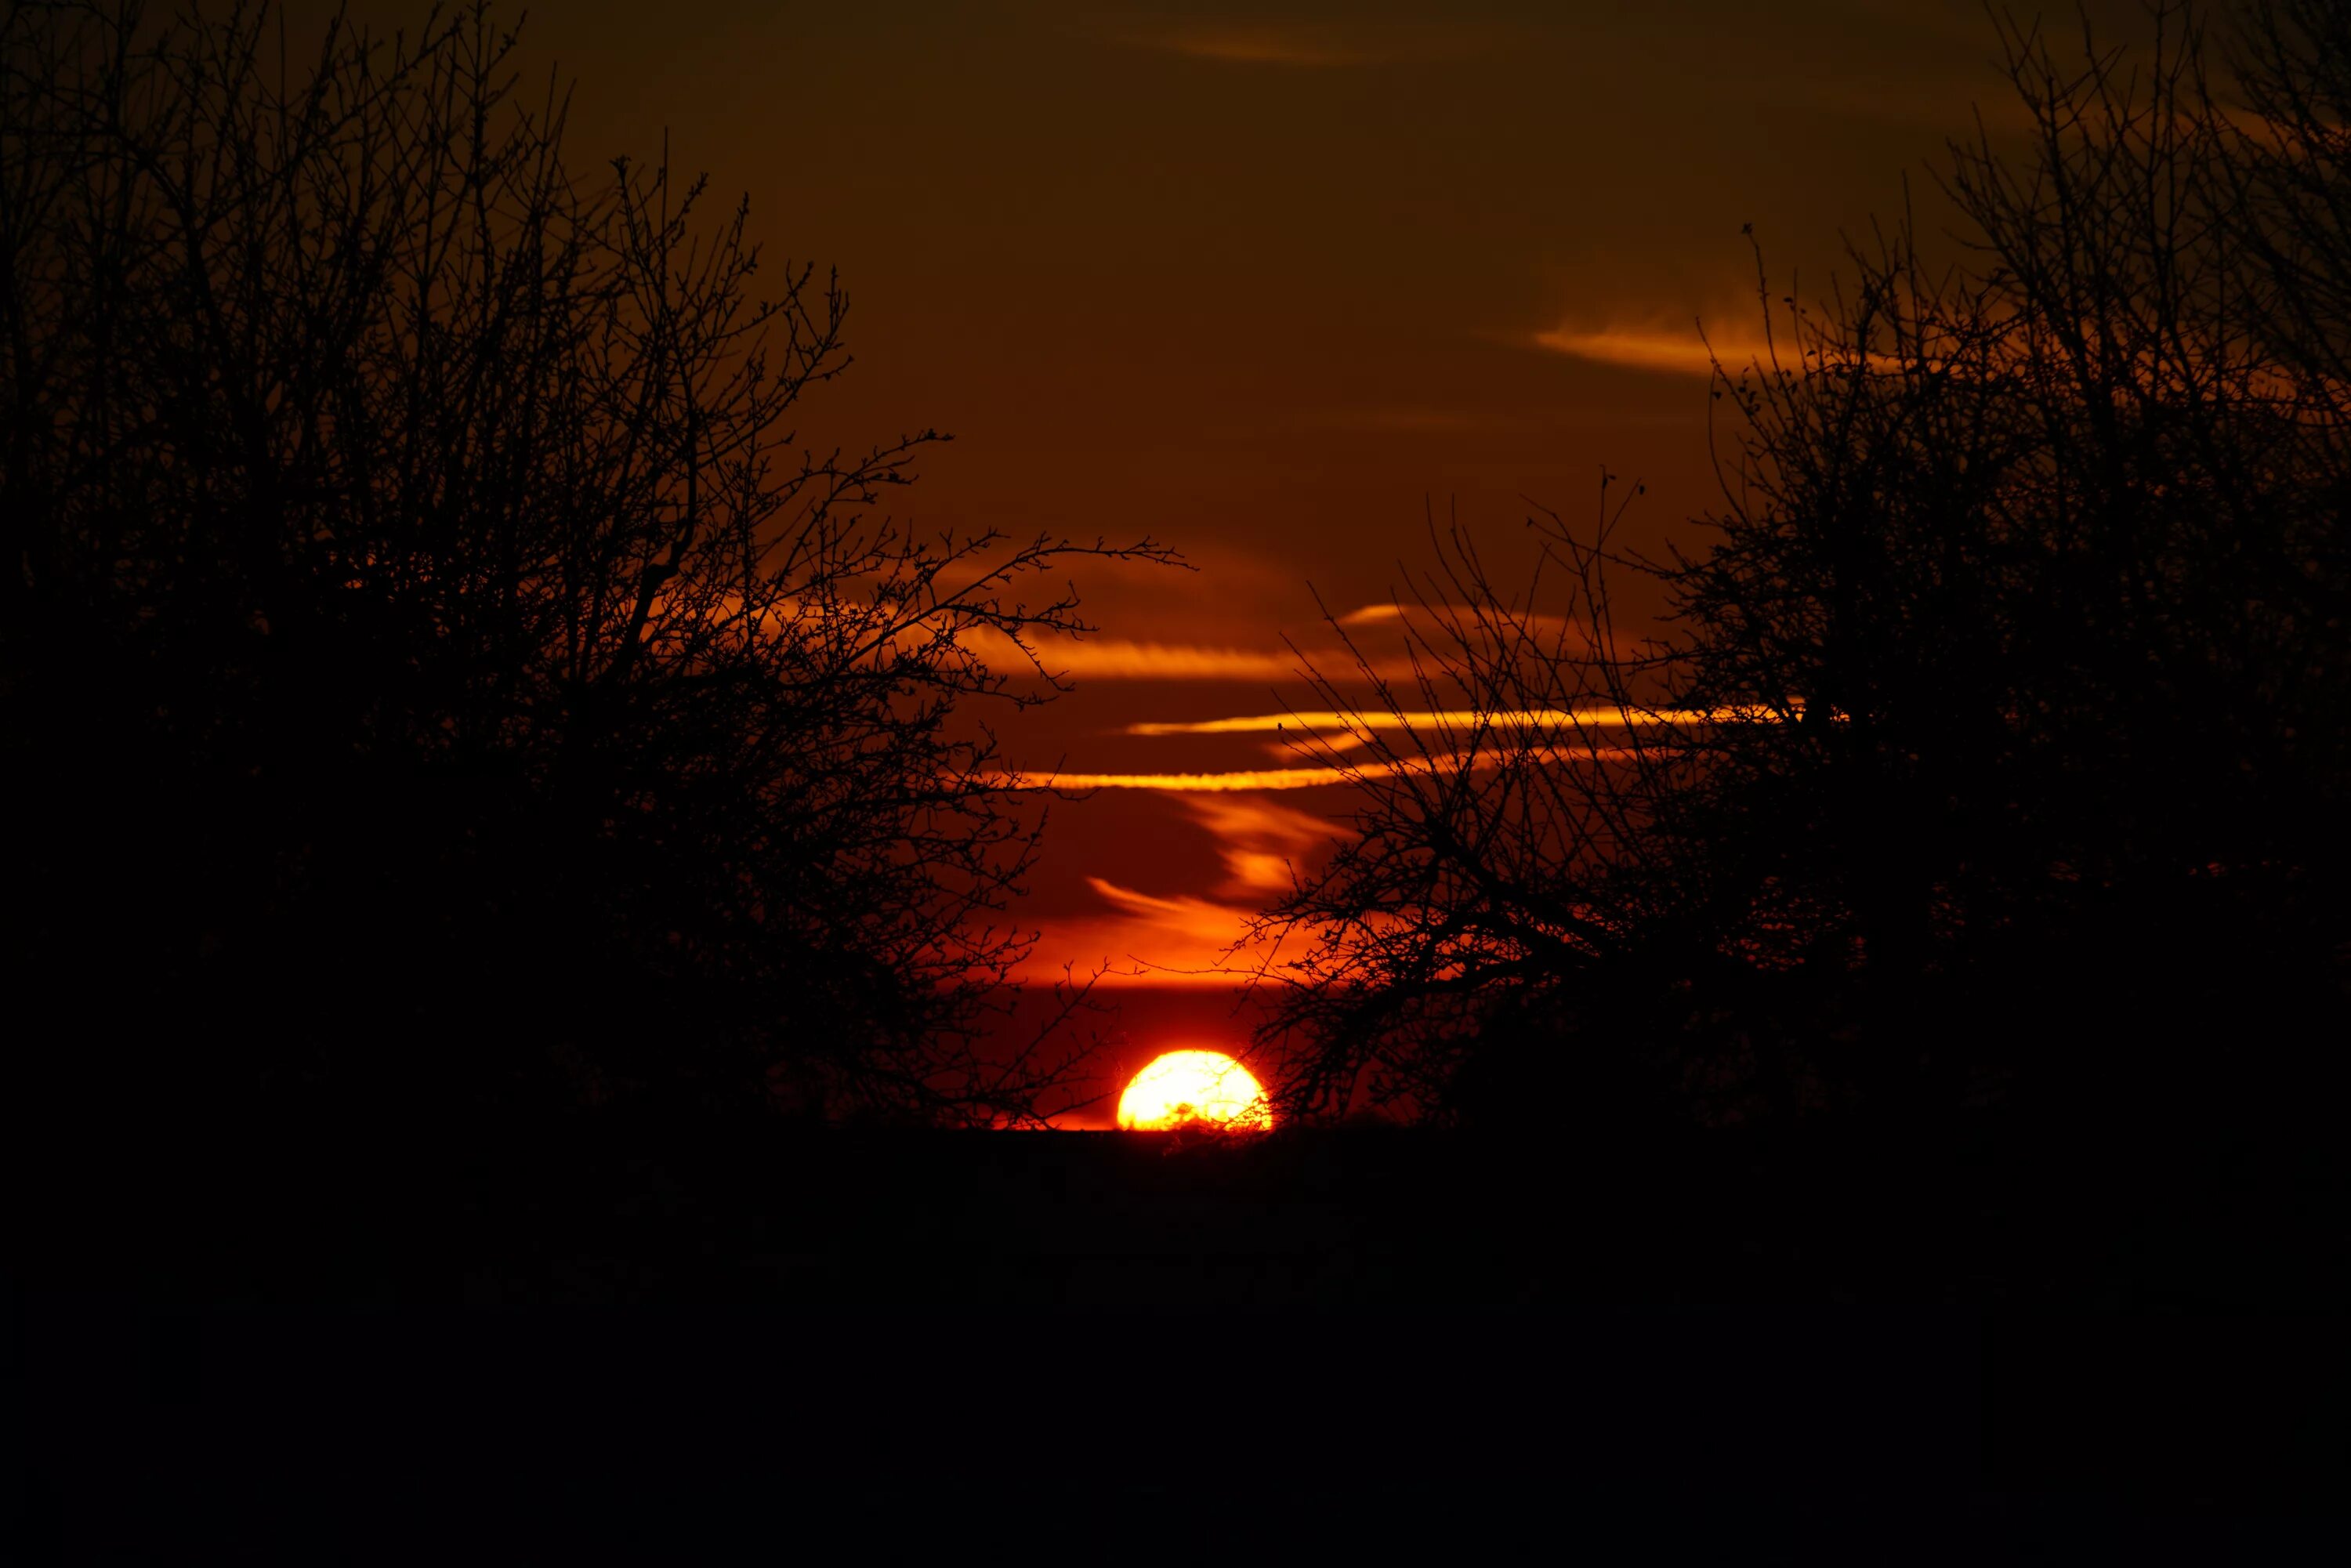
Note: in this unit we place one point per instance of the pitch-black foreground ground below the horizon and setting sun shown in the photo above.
(1957, 1346)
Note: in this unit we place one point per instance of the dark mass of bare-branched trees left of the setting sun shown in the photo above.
(434, 674)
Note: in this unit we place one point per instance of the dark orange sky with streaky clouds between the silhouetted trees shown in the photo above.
(1271, 283)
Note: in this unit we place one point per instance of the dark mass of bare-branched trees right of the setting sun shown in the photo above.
(1997, 744)
